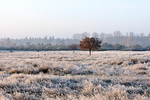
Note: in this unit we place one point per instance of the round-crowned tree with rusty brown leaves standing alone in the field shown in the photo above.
(90, 44)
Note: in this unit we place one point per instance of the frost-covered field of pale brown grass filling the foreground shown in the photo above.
(109, 75)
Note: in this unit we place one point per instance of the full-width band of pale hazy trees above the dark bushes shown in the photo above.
(128, 39)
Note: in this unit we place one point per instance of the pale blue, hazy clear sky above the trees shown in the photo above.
(63, 18)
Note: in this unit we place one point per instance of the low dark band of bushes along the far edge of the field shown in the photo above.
(48, 47)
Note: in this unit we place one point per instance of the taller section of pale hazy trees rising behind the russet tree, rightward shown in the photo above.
(126, 39)
